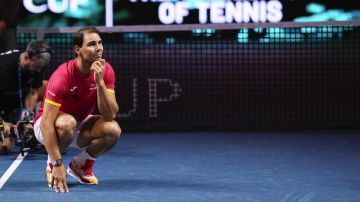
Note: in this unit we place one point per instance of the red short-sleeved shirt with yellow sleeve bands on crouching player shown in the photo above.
(73, 92)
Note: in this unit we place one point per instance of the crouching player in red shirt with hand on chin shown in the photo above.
(74, 91)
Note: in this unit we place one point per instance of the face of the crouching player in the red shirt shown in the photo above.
(92, 48)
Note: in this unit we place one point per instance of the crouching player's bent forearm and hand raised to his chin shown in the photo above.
(107, 104)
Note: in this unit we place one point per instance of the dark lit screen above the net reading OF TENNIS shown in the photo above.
(58, 13)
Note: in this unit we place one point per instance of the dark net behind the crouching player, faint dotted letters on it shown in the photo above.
(302, 82)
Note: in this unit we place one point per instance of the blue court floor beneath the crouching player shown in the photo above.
(205, 166)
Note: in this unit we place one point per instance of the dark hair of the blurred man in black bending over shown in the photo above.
(39, 50)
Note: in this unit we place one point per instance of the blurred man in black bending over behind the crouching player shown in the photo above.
(21, 84)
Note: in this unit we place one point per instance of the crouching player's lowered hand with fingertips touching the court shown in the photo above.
(59, 179)
